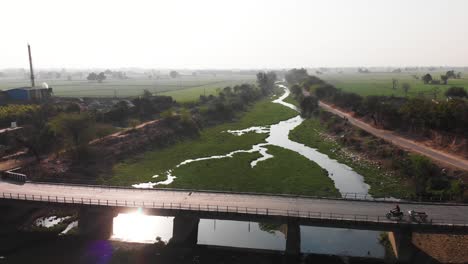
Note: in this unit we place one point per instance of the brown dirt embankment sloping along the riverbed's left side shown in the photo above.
(105, 152)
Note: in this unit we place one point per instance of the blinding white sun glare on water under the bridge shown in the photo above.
(141, 228)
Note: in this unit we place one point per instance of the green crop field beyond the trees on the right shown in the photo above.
(381, 84)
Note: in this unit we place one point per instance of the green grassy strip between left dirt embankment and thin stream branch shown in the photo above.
(212, 141)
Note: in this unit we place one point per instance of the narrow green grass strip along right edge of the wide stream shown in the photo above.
(382, 182)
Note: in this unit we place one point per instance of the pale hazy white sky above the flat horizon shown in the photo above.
(233, 34)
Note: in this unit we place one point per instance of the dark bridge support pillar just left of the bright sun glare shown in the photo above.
(96, 223)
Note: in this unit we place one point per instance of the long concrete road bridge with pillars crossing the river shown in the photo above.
(101, 203)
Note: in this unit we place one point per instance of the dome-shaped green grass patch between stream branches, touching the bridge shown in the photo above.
(287, 172)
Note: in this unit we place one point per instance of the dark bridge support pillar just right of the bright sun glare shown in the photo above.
(185, 231)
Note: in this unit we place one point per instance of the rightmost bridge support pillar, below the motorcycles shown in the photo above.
(402, 245)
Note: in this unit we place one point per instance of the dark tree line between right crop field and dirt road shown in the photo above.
(416, 115)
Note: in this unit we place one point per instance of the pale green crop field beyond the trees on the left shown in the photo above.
(185, 88)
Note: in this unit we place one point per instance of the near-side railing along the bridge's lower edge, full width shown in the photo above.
(225, 209)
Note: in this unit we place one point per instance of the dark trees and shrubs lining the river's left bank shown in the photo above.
(53, 127)
